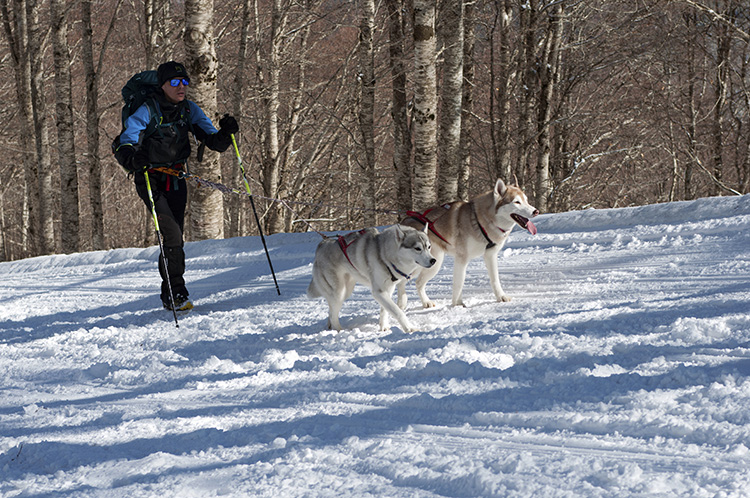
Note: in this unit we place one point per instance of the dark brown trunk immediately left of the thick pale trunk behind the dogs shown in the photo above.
(399, 110)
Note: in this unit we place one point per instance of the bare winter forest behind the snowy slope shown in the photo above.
(354, 111)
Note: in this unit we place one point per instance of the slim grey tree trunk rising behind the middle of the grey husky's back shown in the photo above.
(367, 108)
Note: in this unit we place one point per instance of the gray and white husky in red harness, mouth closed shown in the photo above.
(379, 260)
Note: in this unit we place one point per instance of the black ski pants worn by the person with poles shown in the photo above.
(170, 199)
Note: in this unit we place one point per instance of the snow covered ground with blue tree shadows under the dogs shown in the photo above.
(620, 368)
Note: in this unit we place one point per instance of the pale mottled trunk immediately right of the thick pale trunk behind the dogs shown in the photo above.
(452, 30)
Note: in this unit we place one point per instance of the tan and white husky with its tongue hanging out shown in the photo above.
(467, 230)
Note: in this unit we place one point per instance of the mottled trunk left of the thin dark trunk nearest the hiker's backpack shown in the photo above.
(69, 209)
